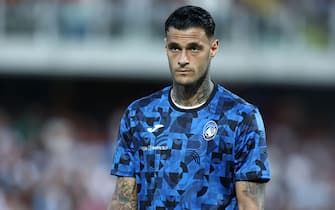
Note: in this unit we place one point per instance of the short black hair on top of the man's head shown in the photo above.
(191, 16)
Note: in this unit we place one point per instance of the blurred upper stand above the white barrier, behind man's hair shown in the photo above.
(304, 23)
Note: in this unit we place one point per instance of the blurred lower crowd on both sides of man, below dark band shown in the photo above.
(53, 161)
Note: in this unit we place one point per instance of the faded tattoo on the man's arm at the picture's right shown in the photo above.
(255, 192)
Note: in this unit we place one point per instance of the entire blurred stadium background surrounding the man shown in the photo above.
(68, 68)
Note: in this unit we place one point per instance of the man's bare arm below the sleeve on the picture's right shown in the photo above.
(250, 195)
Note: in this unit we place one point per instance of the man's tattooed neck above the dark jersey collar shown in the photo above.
(192, 95)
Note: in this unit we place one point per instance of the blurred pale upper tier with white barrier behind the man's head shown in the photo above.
(97, 36)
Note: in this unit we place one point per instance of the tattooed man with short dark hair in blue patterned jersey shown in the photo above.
(192, 145)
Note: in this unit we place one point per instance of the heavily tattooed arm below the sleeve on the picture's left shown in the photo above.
(125, 194)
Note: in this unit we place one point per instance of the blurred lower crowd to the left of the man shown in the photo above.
(54, 162)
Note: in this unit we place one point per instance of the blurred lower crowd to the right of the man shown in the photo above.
(301, 154)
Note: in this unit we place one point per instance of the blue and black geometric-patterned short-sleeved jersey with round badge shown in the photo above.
(191, 158)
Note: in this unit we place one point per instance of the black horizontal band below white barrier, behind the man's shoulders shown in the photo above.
(96, 97)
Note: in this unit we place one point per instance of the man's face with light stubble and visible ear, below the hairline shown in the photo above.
(189, 54)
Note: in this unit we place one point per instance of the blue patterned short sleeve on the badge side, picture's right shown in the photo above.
(251, 156)
